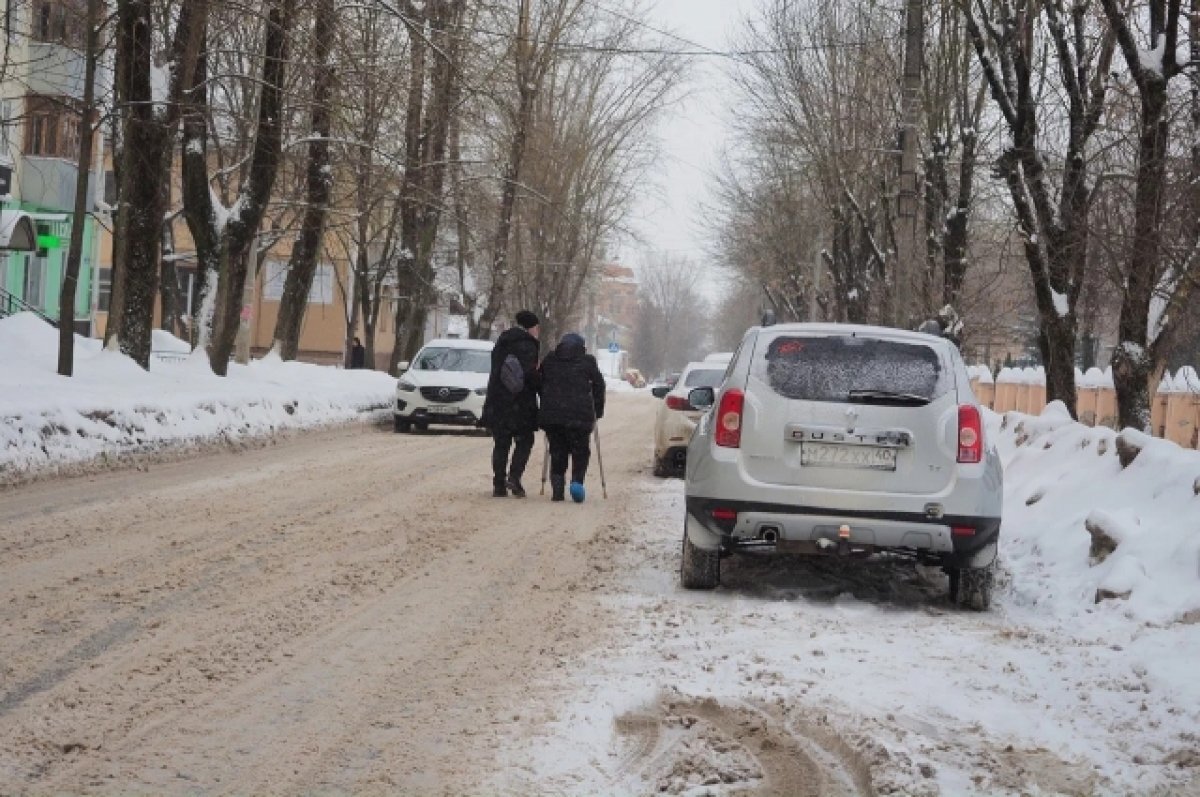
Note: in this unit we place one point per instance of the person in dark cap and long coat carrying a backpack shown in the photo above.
(513, 417)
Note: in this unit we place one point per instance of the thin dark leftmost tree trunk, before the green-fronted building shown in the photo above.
(80, 211)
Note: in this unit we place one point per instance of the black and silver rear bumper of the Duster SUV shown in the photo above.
(802, 529)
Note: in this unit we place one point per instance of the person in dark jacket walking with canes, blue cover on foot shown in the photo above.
(573, 395)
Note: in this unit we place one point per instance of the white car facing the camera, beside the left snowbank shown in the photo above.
(446, 385)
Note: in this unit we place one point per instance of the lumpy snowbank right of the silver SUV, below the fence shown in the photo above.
(1085, 535)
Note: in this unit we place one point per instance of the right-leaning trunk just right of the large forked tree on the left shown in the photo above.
(320, 181)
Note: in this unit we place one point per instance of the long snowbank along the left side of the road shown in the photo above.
(112, 408)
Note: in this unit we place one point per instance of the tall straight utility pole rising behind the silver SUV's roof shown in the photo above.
(908, 201)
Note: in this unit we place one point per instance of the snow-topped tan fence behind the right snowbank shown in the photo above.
(1175, 410)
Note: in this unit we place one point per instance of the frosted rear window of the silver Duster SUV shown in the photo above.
(830, 369)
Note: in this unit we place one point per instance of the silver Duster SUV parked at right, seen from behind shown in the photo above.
(833, 440)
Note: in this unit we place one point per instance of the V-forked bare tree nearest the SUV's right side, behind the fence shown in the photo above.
(1010, 39)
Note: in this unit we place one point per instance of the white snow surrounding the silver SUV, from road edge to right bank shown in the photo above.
(871, 672)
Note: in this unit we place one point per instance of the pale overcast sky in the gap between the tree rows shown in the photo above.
(670, 219)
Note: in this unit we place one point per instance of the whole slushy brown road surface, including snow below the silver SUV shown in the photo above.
(351, 613)
